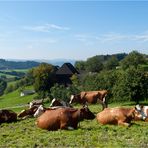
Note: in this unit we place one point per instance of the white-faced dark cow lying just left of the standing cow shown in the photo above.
(56, 102)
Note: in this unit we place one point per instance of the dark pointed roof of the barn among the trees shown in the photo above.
(67, 69)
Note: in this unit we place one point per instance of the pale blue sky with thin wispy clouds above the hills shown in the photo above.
(71, 29)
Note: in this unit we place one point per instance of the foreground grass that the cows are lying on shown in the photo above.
(24, 133)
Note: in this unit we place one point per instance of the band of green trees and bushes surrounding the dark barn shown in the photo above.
(125, 78)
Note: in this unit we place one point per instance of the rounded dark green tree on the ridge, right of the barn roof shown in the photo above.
(94, 64)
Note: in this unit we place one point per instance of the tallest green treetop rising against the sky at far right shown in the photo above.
(133, 59)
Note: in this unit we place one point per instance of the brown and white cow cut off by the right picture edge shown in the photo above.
(141, 113)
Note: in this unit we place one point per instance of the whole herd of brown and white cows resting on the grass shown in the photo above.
(62, 115)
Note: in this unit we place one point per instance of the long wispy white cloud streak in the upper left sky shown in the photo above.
(46, 28)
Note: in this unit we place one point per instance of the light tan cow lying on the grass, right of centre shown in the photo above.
(116, 116)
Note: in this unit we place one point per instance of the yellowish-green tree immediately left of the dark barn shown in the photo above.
(44, 78)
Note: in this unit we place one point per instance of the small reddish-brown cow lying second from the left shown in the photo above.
(27, 112)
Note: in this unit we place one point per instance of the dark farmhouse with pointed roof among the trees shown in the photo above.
(64, 73)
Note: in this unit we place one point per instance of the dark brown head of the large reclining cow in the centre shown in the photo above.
(85, 113)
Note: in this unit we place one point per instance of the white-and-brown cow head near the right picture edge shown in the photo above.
(139, 114)
